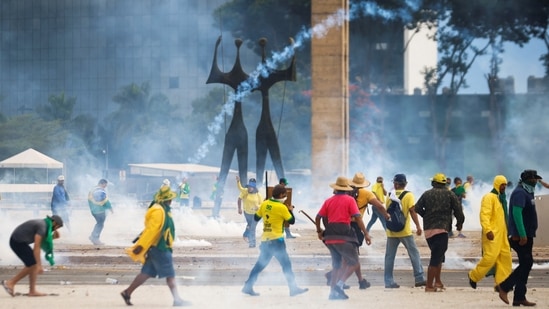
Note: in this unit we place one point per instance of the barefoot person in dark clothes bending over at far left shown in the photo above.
(41, 232)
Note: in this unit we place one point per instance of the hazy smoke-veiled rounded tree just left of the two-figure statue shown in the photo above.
(143, 128)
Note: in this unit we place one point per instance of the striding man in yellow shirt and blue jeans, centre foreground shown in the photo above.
(274, 213)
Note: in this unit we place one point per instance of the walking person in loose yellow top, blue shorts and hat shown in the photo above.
(153, 248)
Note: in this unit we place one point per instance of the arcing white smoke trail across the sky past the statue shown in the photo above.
(277, 59)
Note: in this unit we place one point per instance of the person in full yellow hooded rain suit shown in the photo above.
(496, 251)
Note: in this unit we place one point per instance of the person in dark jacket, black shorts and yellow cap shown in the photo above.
(436, 206)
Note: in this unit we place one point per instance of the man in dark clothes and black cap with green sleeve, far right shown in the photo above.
(523, 223)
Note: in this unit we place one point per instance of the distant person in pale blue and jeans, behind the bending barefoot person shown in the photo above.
(99, 204)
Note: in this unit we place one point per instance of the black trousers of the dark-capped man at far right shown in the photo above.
(519, 276)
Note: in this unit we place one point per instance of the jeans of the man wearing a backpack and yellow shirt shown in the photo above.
(390, 254)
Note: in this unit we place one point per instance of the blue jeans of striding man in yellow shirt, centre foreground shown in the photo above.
(268, 249)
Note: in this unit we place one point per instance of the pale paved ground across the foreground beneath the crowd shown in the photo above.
(212, 261)
